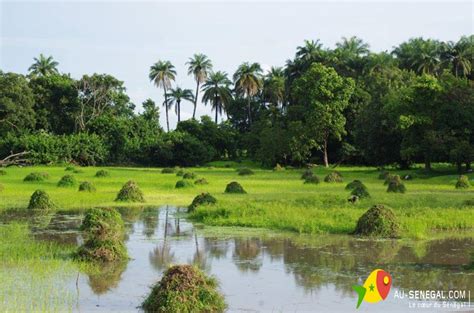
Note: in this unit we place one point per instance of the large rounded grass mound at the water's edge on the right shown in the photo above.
(378, 221)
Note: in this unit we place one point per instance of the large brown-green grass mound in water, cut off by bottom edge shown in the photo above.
(184, 288)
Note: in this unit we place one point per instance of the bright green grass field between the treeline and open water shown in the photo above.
(275, 199)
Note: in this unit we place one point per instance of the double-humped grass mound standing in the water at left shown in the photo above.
(104, 229)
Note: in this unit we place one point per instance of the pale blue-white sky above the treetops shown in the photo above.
(124, 38)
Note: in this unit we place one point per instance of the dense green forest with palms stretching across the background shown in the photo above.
(414, 104)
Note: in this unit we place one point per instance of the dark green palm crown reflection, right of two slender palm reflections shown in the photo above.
(247, 254)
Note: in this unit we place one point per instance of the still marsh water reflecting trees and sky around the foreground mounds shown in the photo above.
(259, 271)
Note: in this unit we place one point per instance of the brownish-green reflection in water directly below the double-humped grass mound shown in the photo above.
(106, 277)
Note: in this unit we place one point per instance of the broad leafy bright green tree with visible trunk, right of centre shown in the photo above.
(325, 95)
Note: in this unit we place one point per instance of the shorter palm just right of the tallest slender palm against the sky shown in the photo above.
(217, 92)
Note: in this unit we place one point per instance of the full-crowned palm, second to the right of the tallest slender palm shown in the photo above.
(248, 82)
